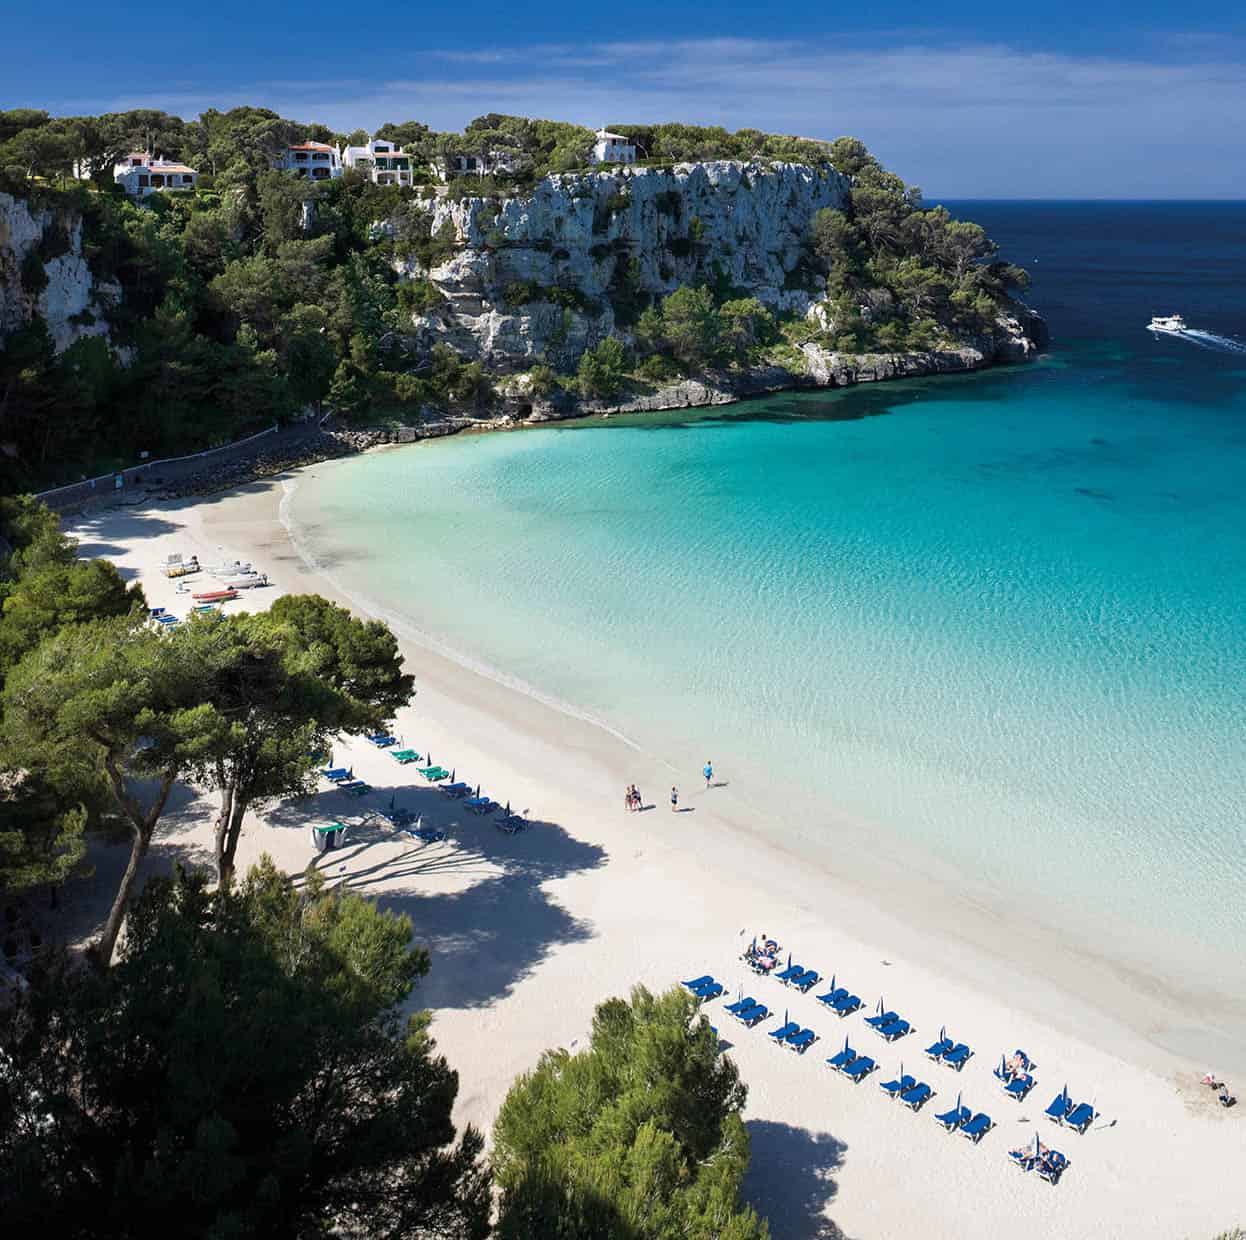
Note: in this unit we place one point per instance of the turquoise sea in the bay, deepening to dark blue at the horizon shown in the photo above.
(981, 632)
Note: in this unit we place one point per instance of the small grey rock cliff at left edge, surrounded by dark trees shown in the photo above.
(72, 302)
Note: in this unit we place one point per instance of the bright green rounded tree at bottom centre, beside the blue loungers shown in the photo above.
(637, 1136)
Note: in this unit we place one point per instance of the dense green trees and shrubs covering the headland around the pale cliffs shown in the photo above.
(244, 306)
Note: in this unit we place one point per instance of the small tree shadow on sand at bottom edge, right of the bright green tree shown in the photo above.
(789, 1180)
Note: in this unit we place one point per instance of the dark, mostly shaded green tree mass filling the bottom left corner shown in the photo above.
(244, 1071)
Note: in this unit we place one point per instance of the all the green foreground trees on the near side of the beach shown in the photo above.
(245, 1064)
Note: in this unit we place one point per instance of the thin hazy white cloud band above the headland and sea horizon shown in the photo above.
(986, 120)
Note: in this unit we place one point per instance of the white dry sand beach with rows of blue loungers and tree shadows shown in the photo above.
(529, 933)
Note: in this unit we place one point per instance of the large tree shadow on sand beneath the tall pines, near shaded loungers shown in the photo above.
(488, 935)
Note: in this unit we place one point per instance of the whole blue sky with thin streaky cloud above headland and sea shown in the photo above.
(969, 99)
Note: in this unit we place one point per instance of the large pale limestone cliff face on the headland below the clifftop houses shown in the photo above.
(604, 236)
